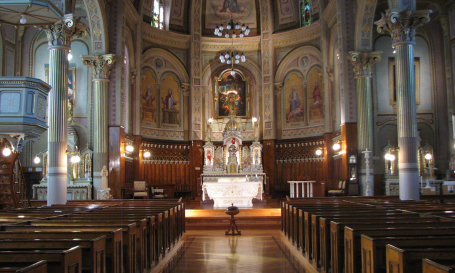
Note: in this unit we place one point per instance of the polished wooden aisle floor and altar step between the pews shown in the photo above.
(208, 249)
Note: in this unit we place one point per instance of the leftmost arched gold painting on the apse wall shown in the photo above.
(148, 98)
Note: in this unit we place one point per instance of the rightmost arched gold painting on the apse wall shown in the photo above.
(315, 95)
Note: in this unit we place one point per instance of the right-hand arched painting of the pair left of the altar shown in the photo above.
(170, 100)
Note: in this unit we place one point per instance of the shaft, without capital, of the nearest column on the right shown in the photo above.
(407, 122)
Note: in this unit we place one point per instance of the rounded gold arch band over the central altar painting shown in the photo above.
(214, 67)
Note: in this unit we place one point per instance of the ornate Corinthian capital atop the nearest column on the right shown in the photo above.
(401, 25)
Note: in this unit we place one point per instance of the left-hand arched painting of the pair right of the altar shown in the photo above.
(294, 100)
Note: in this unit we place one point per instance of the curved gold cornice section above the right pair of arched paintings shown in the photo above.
(297, 36)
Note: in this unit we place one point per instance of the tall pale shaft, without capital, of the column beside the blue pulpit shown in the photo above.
(57, 132)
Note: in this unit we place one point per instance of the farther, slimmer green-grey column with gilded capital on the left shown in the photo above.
(101, 65)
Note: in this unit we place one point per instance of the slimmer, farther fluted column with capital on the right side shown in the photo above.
(363, 63)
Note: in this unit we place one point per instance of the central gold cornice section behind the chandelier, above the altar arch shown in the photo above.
(242, 44)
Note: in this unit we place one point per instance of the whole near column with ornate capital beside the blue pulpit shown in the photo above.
(59, 40)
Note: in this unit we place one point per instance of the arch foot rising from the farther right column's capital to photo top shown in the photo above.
(364, 25)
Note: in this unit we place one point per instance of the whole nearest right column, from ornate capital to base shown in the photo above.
(402, 25)
